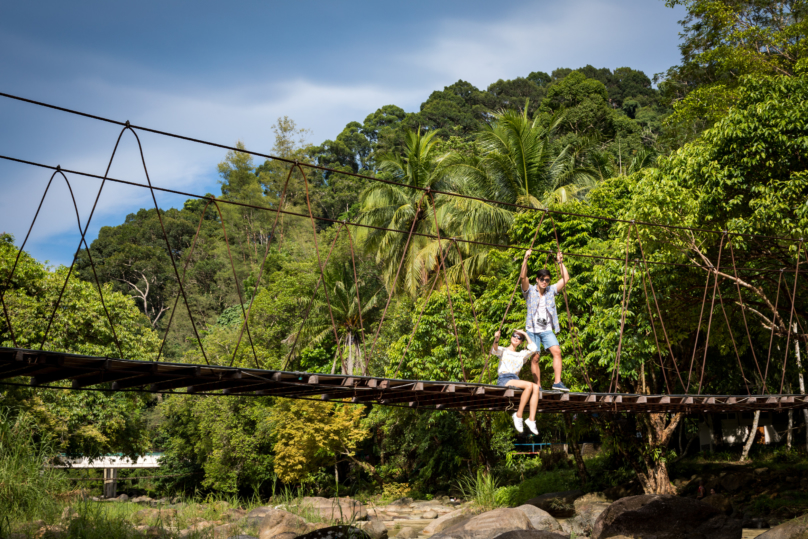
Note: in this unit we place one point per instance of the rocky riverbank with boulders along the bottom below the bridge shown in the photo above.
(559, 515)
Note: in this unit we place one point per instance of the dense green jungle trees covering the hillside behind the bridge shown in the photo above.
(718, 142)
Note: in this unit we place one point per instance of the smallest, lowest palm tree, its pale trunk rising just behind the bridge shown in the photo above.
(348, 319)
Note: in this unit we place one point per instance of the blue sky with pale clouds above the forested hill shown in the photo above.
(226, 72)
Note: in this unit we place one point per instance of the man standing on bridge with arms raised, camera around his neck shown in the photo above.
(542, 317)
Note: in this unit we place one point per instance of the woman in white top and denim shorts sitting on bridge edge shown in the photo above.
(511, 362)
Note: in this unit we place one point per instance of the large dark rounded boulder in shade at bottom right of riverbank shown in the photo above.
(665, 517)
